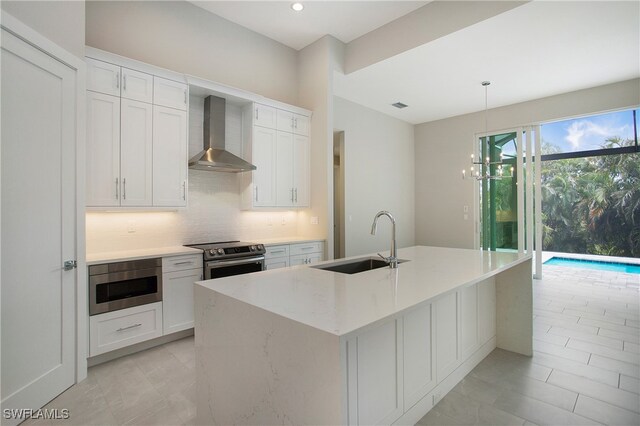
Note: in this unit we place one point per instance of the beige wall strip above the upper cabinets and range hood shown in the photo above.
(185, 38)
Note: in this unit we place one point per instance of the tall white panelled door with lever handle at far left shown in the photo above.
(38, 225)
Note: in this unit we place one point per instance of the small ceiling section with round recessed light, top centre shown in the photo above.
(345, 20)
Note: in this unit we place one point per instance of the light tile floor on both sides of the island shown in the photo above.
(585, 368)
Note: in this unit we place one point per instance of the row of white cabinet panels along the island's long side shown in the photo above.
(405, 364)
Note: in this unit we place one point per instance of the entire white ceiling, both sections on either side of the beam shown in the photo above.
(539, 49)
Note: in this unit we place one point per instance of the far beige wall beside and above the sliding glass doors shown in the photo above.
(443, 148)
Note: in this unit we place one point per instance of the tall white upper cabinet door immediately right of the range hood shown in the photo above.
(264, 158)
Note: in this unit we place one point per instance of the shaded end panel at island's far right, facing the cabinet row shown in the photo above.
(514, 309)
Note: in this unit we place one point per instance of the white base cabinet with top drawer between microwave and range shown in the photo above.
(178, 275)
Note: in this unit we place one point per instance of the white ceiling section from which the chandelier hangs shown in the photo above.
(536, 50)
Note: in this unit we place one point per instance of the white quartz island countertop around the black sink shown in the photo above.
(341, 303)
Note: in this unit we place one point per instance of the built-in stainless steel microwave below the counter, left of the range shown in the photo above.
(119, 285)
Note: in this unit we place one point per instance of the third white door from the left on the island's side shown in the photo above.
(447, 353)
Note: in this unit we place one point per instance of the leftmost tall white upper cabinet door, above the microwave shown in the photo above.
(103, 150)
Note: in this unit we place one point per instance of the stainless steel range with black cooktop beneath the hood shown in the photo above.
(227, 258)
